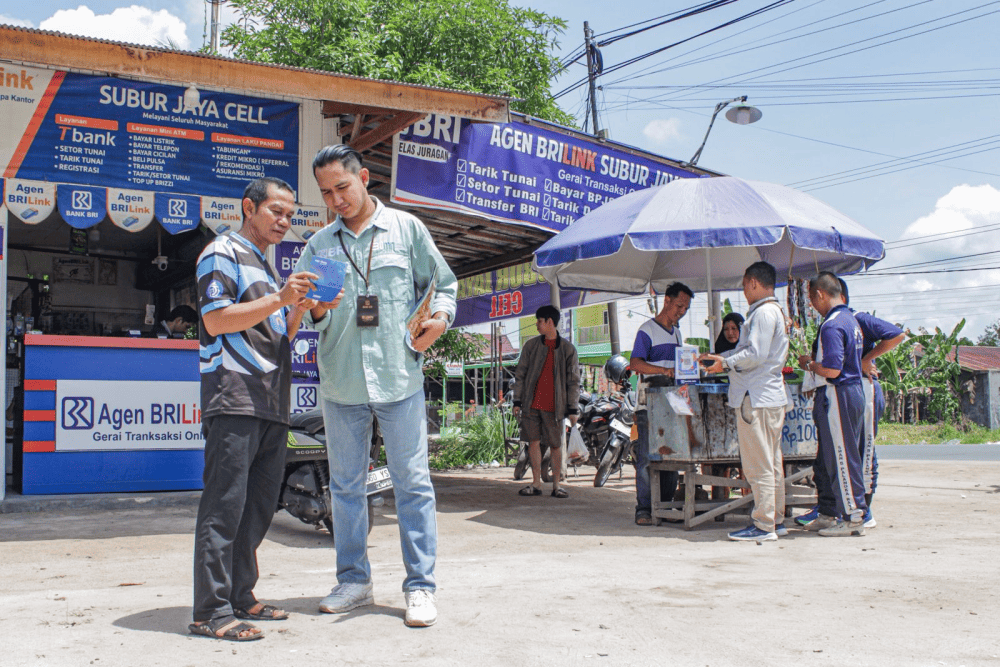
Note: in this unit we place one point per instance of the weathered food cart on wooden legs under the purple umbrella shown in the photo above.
(688, 444)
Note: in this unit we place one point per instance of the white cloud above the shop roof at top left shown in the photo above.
(136, 25)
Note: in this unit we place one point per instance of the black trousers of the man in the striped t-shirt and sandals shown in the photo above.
(244, 465)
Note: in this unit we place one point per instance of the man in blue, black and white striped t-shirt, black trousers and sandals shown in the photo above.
(246, 324)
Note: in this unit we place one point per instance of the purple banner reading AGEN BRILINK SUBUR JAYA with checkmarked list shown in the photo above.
(514, 172)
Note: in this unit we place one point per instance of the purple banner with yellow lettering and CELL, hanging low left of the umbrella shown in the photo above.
(516, 291)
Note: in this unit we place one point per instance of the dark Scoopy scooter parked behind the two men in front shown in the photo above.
(305, 489)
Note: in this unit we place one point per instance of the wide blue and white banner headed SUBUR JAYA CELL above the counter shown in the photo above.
(113, 132)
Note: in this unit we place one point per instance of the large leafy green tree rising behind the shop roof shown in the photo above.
(485, 46)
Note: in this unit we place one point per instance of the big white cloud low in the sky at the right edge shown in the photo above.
(941, 299)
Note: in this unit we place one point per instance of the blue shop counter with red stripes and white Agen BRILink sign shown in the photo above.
(110, 415)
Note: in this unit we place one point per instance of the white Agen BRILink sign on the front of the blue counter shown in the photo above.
(107, 415)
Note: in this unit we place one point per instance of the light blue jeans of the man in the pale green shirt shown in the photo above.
(348, 438)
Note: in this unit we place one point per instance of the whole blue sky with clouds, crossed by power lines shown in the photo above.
(813, 124)
